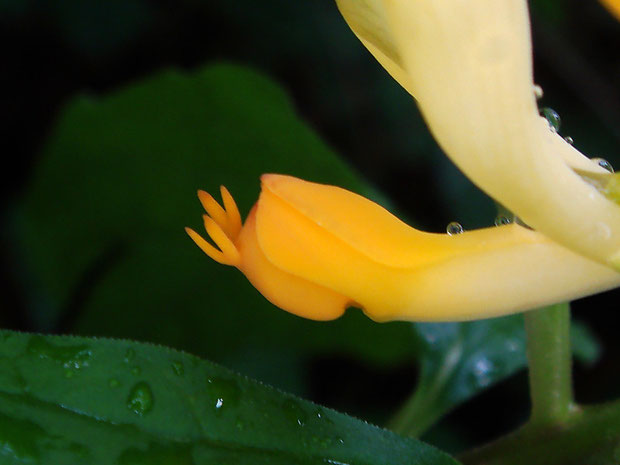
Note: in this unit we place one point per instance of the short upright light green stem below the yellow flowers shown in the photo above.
(550, 363)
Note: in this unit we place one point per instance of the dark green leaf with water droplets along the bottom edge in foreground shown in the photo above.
(96, 401)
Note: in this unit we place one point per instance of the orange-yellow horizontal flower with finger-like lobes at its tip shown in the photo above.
(315, 249)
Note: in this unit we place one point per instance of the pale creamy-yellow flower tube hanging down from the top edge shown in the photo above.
(468, 64)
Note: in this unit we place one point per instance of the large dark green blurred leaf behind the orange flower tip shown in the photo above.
(101, 225)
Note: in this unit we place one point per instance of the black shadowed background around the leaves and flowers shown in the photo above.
(53, 50)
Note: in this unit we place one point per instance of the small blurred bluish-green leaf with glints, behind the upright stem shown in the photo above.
(460, 360)
